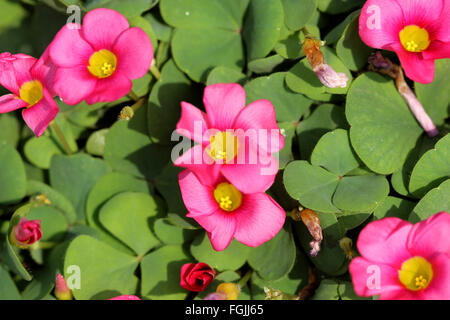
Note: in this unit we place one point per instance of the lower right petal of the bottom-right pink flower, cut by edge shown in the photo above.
(439, 288)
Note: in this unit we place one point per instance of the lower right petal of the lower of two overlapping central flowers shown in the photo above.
(259, 219)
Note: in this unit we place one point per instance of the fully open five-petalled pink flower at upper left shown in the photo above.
(97, 61)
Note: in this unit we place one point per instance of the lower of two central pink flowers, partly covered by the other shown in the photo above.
(227, 212)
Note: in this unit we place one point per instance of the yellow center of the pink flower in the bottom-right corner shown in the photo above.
(416, 273)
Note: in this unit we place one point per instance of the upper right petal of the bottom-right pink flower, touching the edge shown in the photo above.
(430, 236)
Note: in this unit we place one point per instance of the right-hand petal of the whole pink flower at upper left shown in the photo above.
(134, 53)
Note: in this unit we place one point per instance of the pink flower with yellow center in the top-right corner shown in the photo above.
(417, 30)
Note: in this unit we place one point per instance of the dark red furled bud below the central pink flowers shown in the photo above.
(196, 276)
